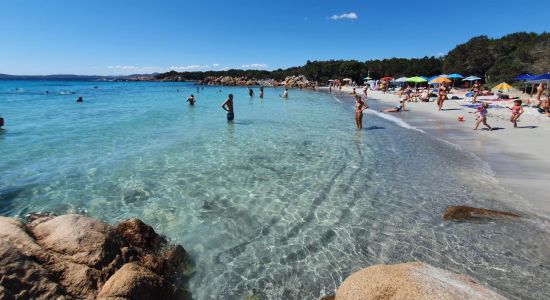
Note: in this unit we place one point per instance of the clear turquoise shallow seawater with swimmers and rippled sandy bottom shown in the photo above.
(284, 203)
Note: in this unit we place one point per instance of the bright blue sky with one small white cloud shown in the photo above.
(120, 37)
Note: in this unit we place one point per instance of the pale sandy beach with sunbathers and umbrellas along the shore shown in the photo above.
(518, 156)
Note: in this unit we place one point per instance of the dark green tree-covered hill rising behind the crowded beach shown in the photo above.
(495, 60)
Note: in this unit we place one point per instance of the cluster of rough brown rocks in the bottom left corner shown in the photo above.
(76, 257)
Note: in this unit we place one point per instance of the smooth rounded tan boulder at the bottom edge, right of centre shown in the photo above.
(411, 281)
